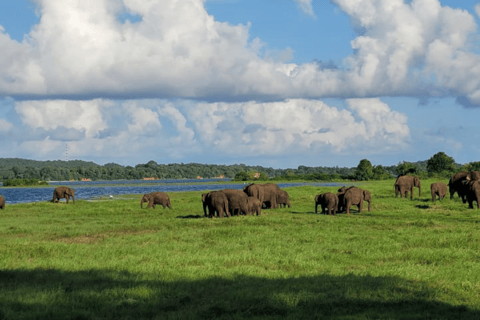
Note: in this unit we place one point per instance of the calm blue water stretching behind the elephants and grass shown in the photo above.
(96, 189)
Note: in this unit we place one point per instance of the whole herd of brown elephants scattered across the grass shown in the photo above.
(254, 197)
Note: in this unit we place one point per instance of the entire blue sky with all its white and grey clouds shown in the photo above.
(273, 83)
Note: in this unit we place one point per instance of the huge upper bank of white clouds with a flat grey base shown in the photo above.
(175, 49)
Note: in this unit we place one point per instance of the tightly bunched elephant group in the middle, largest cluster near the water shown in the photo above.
(248, 201)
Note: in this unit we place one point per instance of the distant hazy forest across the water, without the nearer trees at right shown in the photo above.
(14, 168)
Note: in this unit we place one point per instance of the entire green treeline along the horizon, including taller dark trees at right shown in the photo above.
(439, 165)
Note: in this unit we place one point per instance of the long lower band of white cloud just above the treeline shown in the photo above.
(146, 128)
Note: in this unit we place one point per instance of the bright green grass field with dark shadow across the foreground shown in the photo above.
(109, 259)
